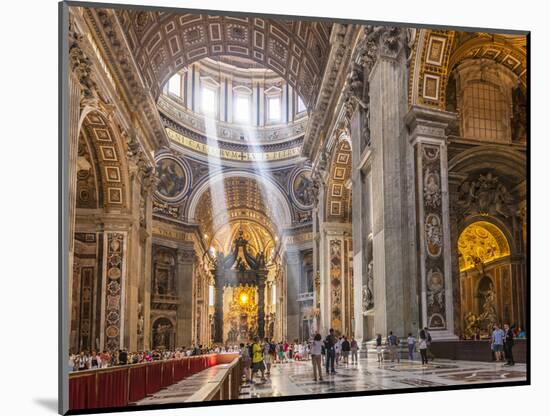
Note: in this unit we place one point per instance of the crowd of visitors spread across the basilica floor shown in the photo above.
(259, 356)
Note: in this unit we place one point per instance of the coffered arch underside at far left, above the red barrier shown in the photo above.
(110, 155)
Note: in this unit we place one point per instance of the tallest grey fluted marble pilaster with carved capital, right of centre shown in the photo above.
(393, 211)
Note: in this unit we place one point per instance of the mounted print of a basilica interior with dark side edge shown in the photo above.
(262, 208)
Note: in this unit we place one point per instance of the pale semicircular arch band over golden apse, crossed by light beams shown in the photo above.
(272, 188)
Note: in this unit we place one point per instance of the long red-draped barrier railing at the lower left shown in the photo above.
(121, 385)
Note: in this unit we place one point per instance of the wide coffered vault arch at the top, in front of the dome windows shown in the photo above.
(162, 44)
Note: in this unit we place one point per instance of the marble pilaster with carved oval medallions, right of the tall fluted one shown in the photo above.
(427, 136)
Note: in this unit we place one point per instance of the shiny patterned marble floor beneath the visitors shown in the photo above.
(296, 378)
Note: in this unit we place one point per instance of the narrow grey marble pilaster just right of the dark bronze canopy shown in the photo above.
(292, 264)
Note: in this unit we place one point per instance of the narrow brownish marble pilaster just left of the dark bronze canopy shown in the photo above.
(184, 290)
